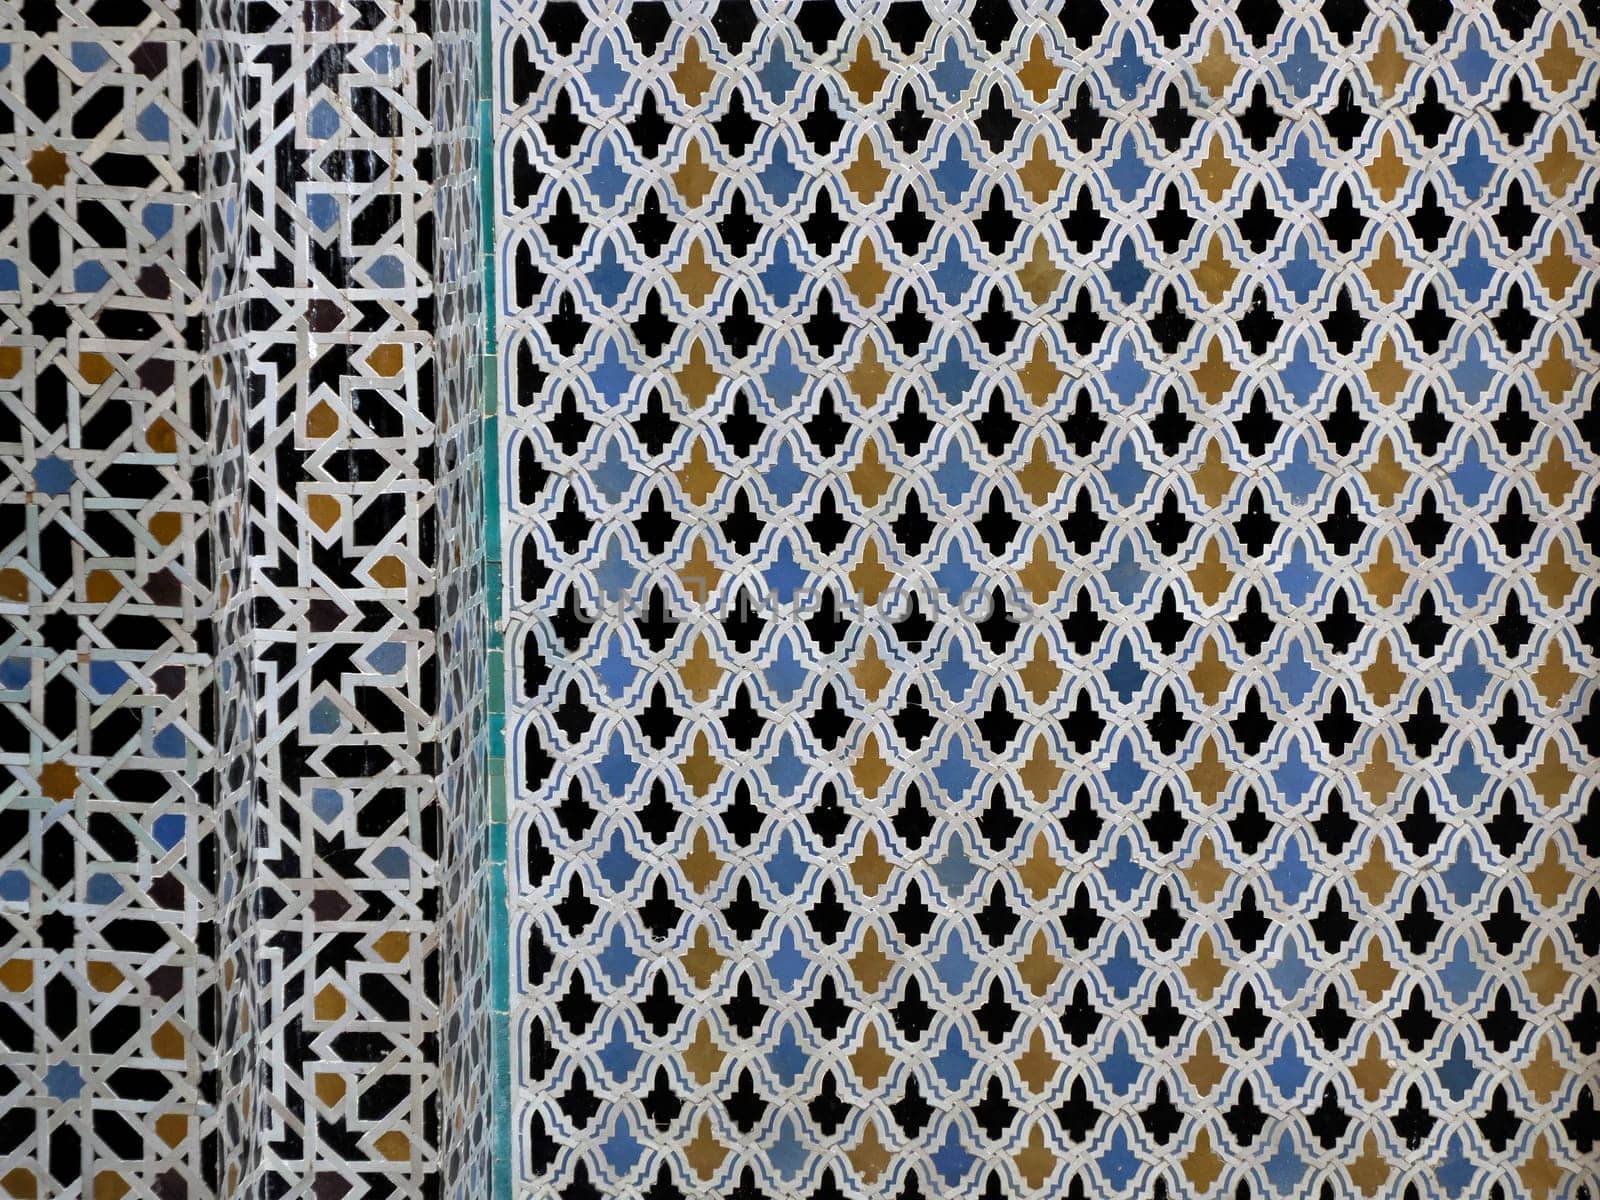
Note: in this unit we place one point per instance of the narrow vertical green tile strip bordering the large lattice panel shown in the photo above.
(495, 660)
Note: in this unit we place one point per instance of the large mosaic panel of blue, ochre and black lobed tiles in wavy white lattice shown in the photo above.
(1050, 610)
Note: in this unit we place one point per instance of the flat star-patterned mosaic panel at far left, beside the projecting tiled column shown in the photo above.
(108, 849)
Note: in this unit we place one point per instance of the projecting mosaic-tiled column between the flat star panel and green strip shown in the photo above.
(345, 289)
